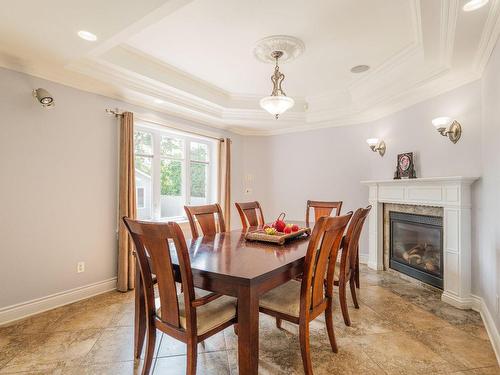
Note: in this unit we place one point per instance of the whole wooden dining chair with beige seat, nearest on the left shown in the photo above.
(191, 316)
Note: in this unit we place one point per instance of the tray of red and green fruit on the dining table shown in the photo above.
(279, 232)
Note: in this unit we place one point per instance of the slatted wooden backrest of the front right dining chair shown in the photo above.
(325, 241)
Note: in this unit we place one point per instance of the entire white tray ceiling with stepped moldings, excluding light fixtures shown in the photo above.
(197, 55)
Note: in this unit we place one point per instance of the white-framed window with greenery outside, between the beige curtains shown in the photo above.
(173, 169)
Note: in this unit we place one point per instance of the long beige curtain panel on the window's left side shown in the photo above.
(126, 203)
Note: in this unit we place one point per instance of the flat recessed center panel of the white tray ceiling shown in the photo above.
(218, 37)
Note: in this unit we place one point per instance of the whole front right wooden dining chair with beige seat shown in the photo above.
(300, 302)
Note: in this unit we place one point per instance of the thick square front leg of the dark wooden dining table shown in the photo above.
(248, 330)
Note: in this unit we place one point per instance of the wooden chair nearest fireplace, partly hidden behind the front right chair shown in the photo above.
(348, 269)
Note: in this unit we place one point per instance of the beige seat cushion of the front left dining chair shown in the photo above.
(208, 316)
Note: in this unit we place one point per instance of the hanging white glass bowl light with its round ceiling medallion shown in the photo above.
(272, 49)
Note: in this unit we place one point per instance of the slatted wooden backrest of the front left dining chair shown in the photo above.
(152, 244)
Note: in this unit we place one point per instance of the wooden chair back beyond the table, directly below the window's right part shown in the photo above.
(209, 217)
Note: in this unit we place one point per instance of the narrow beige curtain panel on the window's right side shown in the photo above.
(225, 179)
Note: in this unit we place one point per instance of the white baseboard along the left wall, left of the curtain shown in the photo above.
(22, 310)
